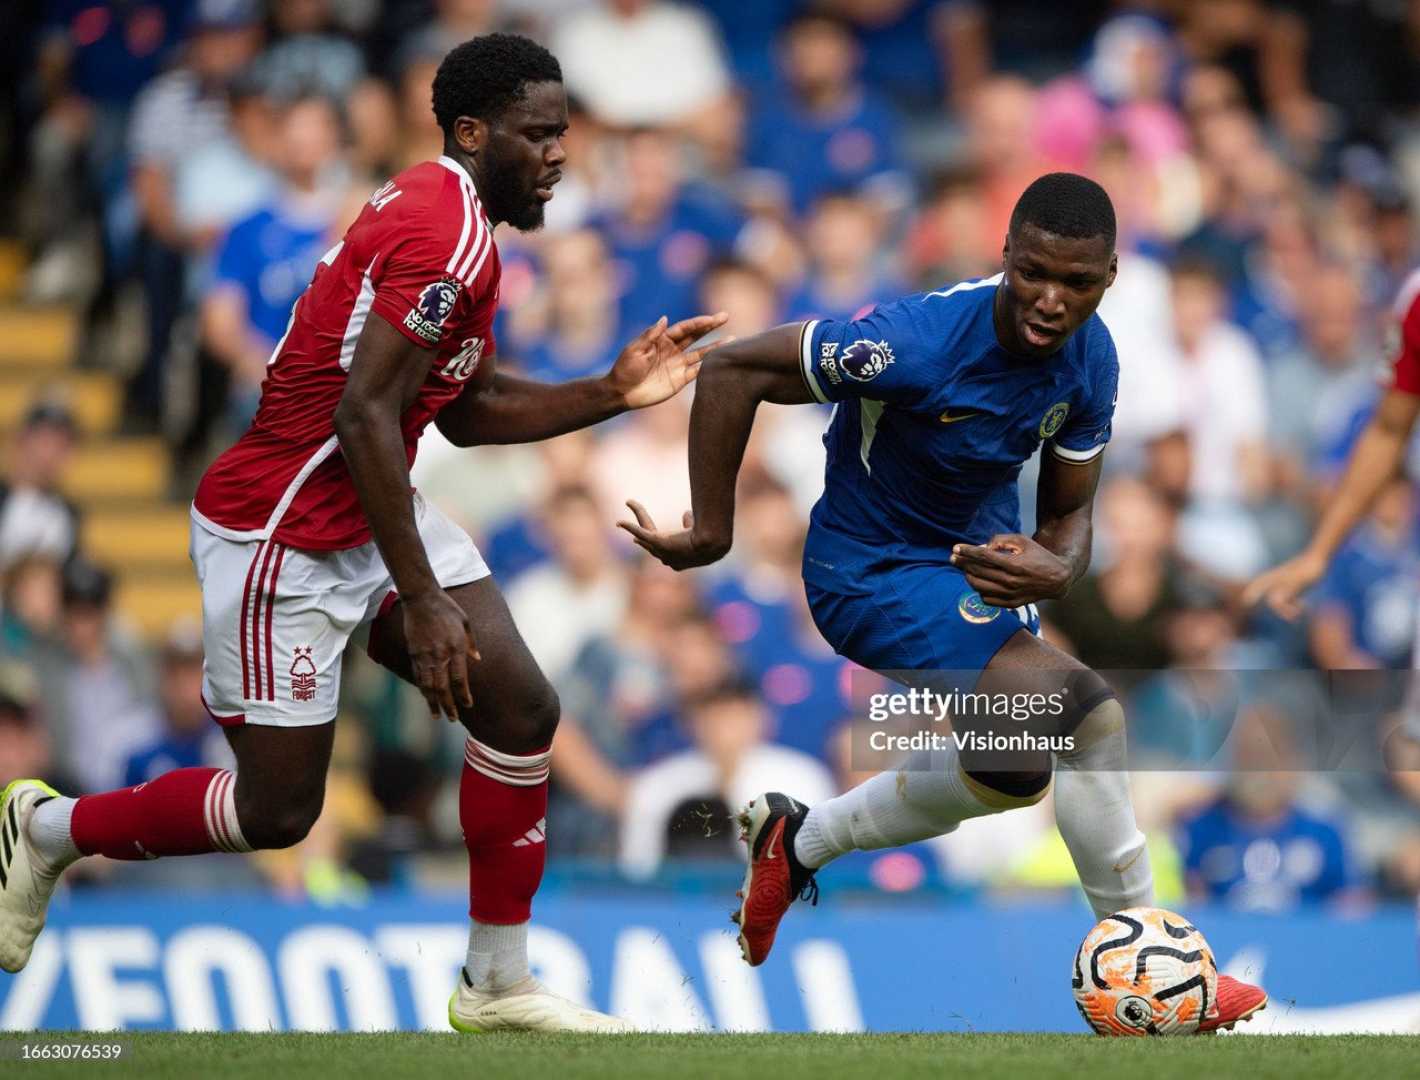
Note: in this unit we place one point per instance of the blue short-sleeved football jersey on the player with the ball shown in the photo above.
(932, 424)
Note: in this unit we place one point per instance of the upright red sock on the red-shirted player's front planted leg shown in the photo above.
(503, 811)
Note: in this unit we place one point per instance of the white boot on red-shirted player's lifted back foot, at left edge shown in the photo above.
(26, 883)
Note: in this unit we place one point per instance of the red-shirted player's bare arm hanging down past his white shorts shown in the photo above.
(384, 381)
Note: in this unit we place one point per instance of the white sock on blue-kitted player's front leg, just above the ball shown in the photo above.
(1097, 820)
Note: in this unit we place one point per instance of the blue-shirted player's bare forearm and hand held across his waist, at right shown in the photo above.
(1012, 570)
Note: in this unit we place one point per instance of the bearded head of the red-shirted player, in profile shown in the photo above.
(501, 103)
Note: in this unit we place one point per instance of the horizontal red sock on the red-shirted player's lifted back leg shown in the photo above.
(182, 812)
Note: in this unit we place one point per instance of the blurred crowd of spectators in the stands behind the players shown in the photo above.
(178, 167)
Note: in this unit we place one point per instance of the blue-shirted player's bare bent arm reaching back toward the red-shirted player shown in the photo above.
(733, 382)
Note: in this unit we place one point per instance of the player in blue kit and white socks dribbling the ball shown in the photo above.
(915, 561)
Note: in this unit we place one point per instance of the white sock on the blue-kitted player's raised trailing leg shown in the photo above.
(927, 797)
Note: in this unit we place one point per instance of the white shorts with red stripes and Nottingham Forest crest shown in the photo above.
(276, 621)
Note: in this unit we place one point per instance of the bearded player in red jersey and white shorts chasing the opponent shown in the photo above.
(307, 531)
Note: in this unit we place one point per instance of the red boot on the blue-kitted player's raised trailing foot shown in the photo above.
(775, 878)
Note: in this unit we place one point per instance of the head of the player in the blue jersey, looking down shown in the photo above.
(1059, 260)
